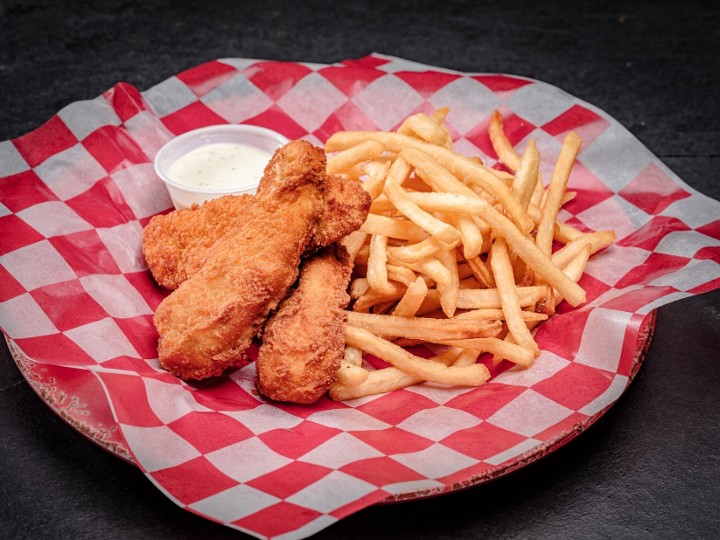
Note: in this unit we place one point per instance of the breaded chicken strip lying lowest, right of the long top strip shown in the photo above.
(303, 341)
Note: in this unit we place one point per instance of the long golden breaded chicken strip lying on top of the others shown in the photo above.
(206, 325)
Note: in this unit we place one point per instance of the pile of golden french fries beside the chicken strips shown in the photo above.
(453, 254)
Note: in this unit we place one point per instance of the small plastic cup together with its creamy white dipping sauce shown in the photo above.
(213, 161)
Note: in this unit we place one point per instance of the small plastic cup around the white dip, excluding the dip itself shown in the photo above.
(184, 196)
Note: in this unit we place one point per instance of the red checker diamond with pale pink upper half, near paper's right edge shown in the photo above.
(652, 190)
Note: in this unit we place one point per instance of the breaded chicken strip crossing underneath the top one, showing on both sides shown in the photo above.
(176, 244)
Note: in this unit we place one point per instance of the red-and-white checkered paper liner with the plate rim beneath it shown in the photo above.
(76, 299)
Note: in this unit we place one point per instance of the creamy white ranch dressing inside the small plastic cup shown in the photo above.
(220, 166)
